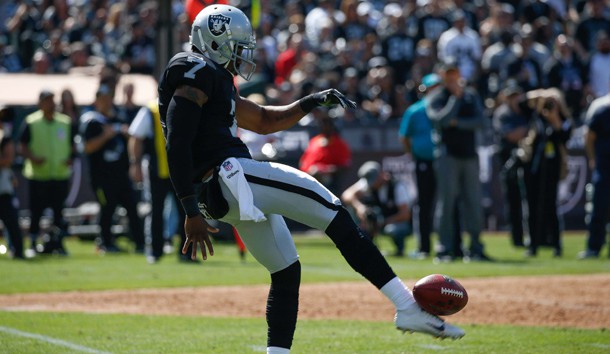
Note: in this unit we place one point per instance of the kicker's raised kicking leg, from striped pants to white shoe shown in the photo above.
(280, 189)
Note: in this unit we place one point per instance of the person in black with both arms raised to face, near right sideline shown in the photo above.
(544, 152)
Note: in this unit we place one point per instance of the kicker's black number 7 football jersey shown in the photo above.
(216, 138)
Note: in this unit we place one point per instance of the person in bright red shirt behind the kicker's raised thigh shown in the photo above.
(327, 155)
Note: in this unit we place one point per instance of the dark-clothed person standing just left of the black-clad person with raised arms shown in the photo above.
(511, 124)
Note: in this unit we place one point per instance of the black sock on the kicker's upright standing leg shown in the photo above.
(283, 305)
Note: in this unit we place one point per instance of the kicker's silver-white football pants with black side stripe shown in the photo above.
(279, 190)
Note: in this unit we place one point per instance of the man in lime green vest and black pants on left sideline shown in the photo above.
(46, 144)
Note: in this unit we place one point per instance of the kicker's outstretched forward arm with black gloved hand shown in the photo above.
(271, 119)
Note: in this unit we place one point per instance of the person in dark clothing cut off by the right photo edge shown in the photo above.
(597, 146)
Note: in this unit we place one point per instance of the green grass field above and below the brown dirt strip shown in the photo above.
(32, 332)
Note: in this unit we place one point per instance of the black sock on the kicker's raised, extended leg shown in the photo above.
(358, 250)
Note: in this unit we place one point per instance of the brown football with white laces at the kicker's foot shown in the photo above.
(440, 294)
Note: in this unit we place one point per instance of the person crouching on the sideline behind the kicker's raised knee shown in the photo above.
(381, 204)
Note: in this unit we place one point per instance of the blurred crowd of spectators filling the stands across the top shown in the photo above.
(375, 51)
